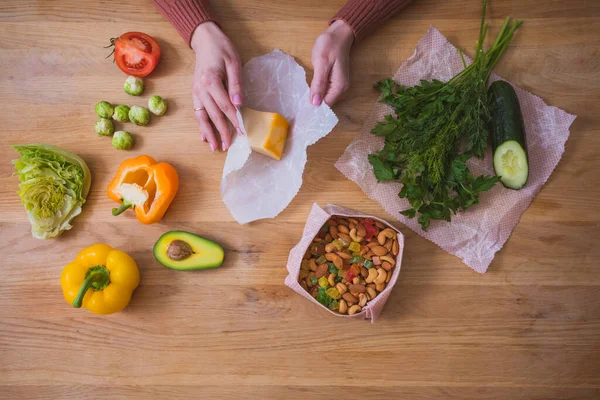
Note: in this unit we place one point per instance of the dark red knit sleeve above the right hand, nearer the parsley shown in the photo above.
(365, 15)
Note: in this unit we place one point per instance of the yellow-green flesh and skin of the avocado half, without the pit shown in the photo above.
(213, 259)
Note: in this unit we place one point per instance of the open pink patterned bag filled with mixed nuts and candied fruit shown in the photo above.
(346, 262)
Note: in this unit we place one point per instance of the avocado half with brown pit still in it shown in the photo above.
(184, 251)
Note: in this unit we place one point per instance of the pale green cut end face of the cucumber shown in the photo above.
(510, 163)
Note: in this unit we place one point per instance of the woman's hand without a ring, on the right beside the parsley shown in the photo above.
(331, 63)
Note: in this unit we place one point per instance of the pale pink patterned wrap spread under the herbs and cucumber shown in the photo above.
(477, 234)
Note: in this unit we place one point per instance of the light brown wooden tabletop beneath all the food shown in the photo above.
(527, 329)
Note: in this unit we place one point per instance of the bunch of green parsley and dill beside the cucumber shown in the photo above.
(438, 126)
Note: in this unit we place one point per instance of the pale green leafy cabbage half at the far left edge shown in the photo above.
(54, 186)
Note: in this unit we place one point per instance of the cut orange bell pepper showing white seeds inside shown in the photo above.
(144, 185)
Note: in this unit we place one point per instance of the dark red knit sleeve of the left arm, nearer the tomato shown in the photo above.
(185, 15)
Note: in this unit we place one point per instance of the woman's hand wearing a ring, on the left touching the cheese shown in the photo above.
(217, 87)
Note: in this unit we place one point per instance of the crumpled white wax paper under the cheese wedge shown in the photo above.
(255, 186)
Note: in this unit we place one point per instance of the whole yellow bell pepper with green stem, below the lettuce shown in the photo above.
(100, 279)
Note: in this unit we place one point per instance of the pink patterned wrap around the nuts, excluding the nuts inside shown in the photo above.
(317, 217)
